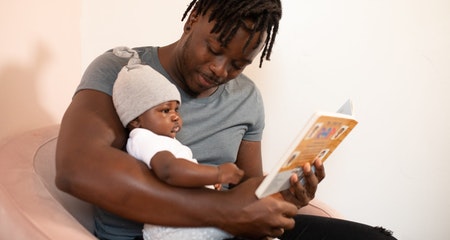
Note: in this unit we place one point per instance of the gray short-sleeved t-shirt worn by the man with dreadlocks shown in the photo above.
(213, 127)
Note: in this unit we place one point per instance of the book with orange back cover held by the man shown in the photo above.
(318, 139)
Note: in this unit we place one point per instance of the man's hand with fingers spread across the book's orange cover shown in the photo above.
(299, 194)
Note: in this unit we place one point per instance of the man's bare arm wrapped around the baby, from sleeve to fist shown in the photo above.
(90, 166)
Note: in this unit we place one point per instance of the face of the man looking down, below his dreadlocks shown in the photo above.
(204, 64)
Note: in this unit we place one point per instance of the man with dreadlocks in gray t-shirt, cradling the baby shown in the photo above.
(220, 38)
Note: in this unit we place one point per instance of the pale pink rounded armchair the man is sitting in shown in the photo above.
(31, 207)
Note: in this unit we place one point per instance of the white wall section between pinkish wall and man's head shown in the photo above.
(107, 24)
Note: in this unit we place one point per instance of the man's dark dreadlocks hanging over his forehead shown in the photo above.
(230, 15)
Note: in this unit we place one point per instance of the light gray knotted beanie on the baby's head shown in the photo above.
(139, 87)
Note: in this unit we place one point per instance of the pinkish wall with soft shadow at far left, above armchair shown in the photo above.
(40, 56)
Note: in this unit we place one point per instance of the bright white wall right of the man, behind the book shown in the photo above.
(393, 59)
